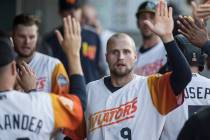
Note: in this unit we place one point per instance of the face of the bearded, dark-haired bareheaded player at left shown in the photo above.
(25, 40)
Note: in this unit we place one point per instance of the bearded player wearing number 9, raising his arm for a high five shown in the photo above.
(127, 106)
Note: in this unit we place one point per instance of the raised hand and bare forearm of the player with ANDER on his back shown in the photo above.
(71, 44)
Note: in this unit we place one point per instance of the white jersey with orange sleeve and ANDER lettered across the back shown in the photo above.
(35, 116)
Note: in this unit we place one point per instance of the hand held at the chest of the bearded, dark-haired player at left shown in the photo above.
(26, 78)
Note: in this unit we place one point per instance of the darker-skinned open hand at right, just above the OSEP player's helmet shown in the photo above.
(194, 31)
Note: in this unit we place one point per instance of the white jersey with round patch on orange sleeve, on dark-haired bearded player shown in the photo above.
(51, 74)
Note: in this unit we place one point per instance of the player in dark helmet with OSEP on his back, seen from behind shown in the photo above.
(197, 92)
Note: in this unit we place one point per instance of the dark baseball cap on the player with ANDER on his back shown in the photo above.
(7, 54)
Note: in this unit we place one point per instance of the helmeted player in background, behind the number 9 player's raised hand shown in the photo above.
(152, 54)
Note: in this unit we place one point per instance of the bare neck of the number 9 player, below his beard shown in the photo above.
(118, 81)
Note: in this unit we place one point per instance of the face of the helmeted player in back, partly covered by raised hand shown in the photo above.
(146, 32)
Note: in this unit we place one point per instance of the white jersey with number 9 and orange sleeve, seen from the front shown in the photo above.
(135, 111)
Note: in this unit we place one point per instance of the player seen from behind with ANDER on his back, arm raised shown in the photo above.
(36, 116)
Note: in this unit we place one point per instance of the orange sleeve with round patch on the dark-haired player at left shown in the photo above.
(60, 80)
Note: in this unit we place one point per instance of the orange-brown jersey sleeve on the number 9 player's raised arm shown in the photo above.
(163, 97)
